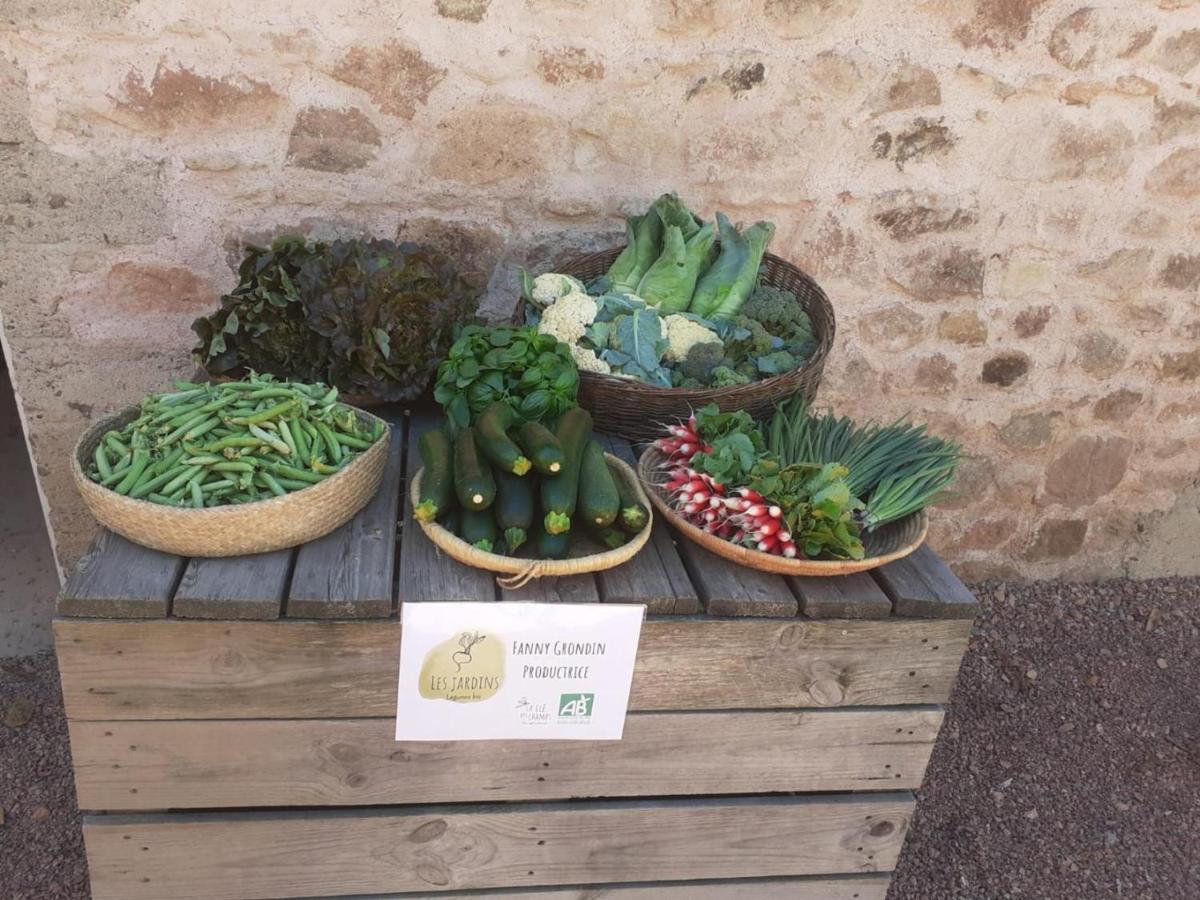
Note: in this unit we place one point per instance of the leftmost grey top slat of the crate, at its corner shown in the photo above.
(118, 579)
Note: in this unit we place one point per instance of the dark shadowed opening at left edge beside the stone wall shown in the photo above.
(29, 580)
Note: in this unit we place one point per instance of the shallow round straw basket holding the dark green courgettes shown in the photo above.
(586, 557)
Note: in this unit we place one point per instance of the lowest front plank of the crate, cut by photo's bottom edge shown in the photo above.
(837, 887)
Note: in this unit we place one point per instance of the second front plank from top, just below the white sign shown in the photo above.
(325, 763)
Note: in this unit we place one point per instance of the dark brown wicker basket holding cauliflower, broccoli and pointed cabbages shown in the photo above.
(637, 411)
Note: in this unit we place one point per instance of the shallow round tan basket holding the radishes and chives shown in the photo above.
(884, 545)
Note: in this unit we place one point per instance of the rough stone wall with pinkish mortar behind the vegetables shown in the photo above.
(1000, 196)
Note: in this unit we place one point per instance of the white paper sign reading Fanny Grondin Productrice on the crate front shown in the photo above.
(511, 670)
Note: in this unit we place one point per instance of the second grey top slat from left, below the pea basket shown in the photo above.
(235, 587)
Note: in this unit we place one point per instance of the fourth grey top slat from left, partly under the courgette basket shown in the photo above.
(427, 574)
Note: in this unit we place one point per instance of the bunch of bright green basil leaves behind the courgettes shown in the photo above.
(533, 374)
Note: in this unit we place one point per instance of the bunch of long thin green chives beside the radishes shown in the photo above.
(896, 470)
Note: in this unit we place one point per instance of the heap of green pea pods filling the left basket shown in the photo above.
(217, 445)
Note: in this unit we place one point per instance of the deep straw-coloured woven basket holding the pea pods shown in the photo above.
(237, 530)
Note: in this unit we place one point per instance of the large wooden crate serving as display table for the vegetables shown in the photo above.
(232, 736)
